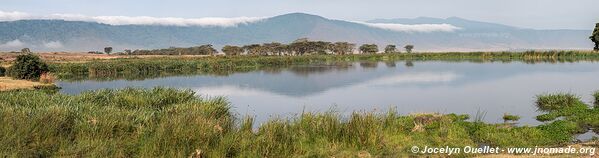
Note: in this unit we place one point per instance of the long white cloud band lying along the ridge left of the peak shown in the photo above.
(137, 20)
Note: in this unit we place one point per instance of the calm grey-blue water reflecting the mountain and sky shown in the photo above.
(445, 87)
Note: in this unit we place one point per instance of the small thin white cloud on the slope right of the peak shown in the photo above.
(425, 28)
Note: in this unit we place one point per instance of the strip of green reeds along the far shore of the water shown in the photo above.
(139, 68)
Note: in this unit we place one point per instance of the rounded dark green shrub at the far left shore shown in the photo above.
(28, 66)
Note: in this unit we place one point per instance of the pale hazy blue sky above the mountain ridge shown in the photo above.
(539, 14)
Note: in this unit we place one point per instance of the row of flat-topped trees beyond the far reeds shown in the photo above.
(298, 47)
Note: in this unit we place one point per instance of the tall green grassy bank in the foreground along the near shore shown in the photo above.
(176, 123)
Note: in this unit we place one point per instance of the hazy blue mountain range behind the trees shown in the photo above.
(61, 35)
